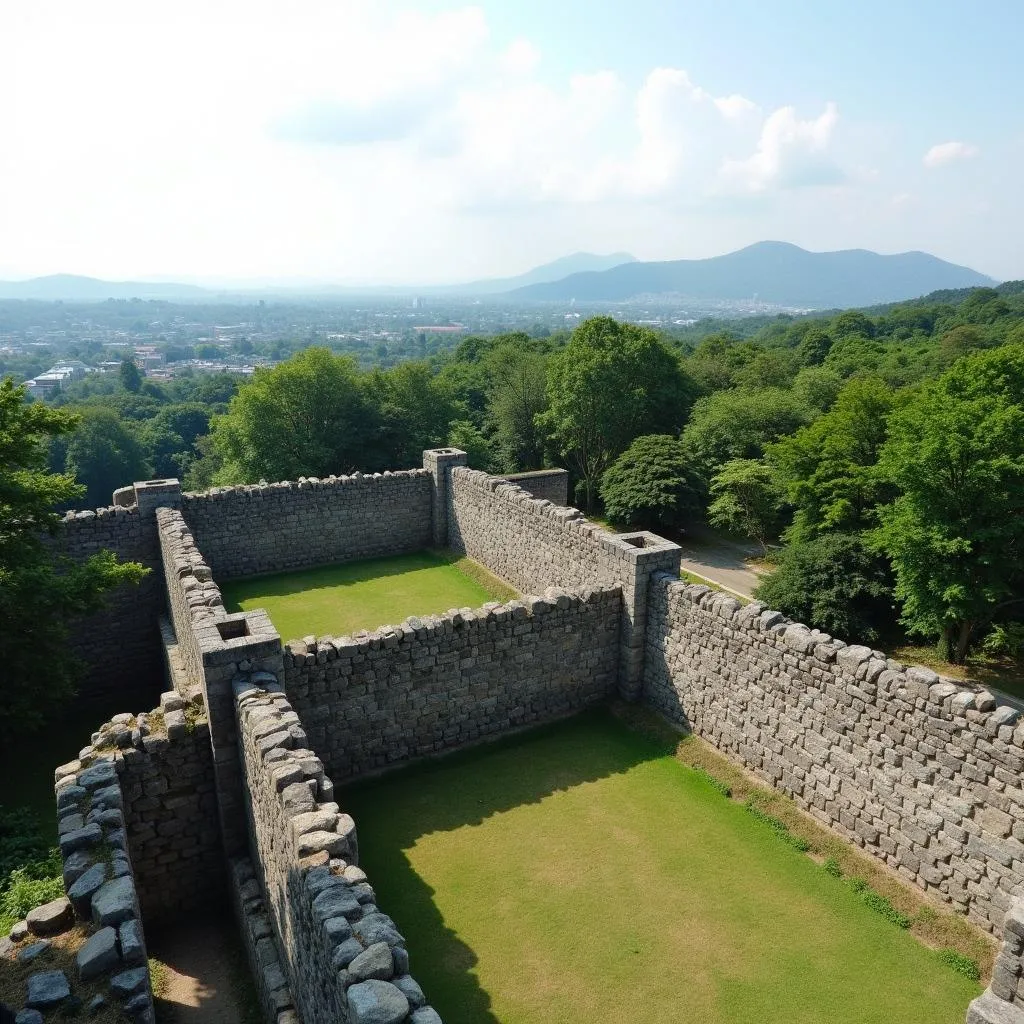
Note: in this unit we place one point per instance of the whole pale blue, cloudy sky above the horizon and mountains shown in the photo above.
(388, 143)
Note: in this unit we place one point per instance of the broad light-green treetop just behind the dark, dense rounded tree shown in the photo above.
(732, 425)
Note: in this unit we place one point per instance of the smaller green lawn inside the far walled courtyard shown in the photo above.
(337, 601)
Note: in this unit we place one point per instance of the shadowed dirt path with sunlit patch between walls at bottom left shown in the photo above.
(202, 974)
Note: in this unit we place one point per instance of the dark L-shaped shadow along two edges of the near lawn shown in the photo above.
(466, 789)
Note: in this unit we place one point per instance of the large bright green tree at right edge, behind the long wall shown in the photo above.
(956, 533)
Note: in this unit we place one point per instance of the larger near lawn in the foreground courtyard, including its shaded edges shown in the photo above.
(580, 874)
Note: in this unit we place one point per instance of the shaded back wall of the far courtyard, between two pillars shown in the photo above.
(274, 528)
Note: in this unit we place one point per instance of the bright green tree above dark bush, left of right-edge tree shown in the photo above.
(828, 468)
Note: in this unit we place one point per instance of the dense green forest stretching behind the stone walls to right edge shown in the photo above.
(878, 455)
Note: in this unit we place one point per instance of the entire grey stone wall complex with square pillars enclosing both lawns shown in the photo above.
(226, 781)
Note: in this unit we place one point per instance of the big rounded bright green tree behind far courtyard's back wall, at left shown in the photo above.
(306, 417)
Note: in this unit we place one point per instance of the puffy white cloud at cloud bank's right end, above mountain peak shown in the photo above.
(791, 154)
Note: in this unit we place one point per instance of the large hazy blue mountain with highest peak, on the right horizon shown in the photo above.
(771, 272)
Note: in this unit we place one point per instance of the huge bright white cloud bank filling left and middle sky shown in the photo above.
(338, 139)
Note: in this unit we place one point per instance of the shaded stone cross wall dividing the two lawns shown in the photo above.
(443, 681)
